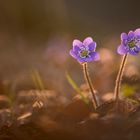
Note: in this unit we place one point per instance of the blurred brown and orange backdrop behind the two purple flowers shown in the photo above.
(36, 36)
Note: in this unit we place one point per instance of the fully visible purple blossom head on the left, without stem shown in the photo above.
(84, 51)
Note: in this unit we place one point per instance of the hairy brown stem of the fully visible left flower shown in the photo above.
(88, 80)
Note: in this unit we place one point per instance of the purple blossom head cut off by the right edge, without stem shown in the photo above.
(130, 43)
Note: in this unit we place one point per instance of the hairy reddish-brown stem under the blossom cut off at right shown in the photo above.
(119, 77)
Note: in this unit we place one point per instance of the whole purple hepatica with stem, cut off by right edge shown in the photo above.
(130, 44)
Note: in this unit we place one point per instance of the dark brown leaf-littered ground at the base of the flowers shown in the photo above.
(71, 121)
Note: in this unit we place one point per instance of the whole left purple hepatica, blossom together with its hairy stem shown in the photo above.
(84, 52)
